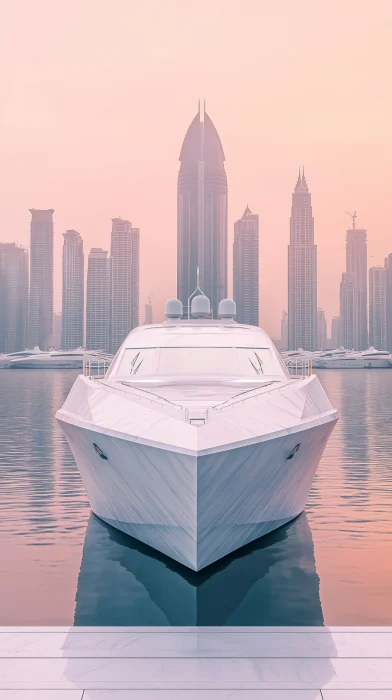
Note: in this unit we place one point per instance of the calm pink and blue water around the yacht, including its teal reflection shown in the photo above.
(60, 565)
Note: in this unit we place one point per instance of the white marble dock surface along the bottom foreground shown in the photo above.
(195, 663)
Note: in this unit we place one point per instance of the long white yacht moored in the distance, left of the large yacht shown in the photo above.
(57, 359)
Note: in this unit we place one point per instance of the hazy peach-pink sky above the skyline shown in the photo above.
(97, 96)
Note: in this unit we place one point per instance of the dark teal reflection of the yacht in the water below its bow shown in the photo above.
(272, 581)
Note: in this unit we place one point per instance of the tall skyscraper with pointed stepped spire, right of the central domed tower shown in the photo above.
(302, 277)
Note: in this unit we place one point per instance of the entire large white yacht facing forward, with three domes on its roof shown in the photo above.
(197, 440)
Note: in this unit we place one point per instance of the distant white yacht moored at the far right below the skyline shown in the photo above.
(349, 359)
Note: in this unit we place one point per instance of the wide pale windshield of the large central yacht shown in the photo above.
(174, 361)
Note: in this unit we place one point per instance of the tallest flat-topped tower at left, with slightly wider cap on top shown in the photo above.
(41, 278)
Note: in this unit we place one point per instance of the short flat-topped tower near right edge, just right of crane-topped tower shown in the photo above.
(377, 307)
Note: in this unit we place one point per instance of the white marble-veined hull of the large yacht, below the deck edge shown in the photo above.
(197, 508)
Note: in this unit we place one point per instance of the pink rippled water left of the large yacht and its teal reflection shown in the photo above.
(43, 504)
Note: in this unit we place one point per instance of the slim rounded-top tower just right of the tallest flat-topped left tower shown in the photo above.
(73, 291)
